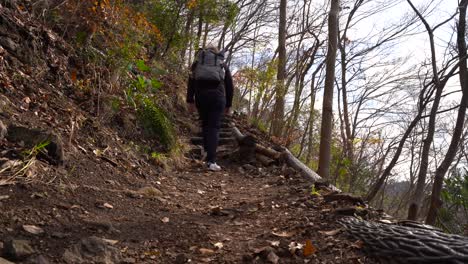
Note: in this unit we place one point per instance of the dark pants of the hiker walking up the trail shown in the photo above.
(210, 108)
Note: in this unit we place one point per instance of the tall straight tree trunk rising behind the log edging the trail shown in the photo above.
(327, 109)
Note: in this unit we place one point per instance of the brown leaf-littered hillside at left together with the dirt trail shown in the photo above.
(99, 197)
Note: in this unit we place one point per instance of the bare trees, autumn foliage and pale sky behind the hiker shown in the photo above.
(399, 97)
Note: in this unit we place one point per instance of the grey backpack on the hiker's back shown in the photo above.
(209, 67)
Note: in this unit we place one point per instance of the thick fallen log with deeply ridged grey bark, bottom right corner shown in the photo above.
(401, 244)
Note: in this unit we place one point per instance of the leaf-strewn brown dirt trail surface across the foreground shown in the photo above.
(98, 213)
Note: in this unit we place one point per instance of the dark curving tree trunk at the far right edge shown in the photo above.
(452, 150)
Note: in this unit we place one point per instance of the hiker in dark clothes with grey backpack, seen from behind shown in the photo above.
(210, 89)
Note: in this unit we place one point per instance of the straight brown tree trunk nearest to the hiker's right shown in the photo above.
(278, 111)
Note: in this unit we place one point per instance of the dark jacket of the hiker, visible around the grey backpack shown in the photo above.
(203, 88)
